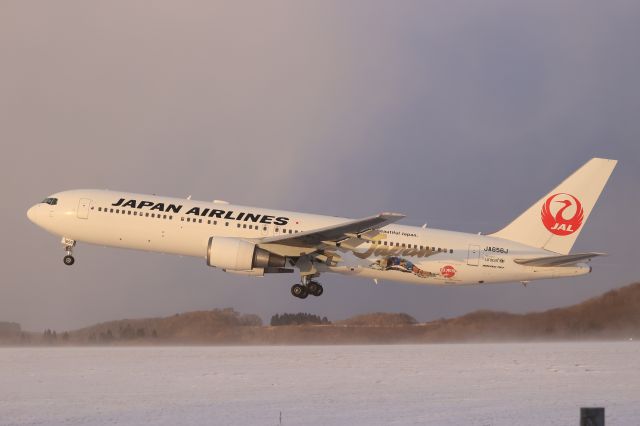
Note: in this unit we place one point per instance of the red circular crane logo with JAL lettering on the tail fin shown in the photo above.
(562, 214)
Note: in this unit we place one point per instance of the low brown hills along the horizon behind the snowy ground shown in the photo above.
(614, 315)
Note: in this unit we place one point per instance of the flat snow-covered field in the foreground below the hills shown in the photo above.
(475, 384)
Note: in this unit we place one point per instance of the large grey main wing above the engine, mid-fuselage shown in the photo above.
(335, 234)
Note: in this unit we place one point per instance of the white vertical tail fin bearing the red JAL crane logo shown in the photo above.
(555, 221)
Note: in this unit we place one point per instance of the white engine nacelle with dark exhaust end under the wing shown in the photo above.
(234, 254)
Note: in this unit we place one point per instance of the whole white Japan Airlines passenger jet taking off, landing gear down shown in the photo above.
(256, 241)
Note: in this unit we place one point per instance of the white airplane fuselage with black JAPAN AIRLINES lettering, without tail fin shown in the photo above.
(183, 227)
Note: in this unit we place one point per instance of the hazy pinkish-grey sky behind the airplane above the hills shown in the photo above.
(457, 113)
